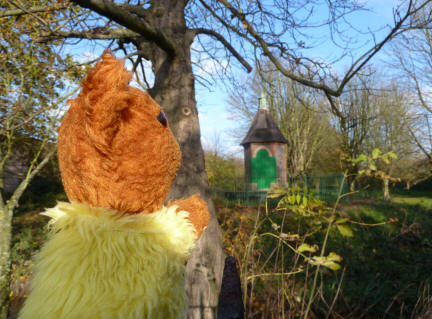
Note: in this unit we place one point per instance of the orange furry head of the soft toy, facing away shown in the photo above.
(115, 147)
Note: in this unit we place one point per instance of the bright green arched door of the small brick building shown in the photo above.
(263, 169)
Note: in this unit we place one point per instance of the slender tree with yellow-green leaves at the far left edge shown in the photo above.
(32, 89)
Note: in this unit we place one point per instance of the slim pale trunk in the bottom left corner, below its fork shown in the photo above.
(5, 261)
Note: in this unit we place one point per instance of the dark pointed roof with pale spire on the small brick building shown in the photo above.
(263, 128)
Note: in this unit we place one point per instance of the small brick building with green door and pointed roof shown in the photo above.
(264, 151)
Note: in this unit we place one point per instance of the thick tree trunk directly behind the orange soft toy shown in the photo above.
(174, 90)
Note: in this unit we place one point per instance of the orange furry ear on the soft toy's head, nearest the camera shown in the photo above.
(105, 94)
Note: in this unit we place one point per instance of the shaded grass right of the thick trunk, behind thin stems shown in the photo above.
(386, 265)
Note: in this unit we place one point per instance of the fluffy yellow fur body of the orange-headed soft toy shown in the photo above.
(100, 264)
